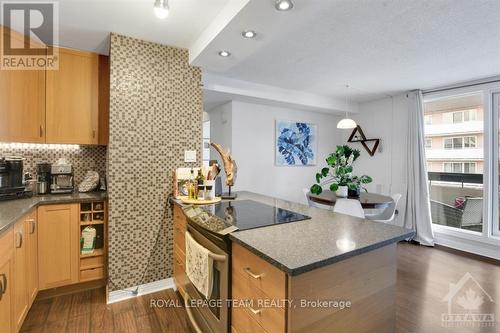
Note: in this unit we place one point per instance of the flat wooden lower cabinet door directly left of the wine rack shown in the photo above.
(58, 245)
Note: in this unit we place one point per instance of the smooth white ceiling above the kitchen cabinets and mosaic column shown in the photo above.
(86, 24)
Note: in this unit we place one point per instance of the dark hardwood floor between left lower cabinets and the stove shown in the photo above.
(87, 312)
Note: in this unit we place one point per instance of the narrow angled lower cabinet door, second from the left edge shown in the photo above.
(21, 299)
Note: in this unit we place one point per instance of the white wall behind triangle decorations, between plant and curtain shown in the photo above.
(385, 119)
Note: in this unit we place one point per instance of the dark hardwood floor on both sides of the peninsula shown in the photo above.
(424, 277)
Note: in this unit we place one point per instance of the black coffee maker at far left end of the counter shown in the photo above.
(11, 178)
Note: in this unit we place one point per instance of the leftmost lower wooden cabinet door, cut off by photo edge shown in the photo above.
(6, 280)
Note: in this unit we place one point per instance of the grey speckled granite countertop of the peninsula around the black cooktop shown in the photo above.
(326, 238)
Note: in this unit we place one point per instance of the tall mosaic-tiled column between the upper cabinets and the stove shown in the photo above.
(155, 114)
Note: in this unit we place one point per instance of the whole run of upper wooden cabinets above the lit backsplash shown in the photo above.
(68, 105)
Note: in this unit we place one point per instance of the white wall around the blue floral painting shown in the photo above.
(252, 145)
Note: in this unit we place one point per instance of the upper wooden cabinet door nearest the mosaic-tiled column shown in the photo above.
(72, 111)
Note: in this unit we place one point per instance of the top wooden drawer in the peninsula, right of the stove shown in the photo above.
(260, 274)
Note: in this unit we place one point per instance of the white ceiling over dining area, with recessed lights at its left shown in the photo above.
(378, 47)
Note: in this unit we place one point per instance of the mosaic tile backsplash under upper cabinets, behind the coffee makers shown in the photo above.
(83, 158)
